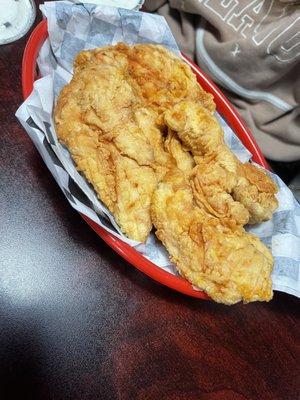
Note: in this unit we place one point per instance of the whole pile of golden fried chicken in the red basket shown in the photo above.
(142, 131)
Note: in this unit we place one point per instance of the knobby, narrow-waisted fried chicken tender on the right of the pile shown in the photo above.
(234, 192)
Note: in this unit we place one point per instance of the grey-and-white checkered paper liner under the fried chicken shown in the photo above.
(74, 27)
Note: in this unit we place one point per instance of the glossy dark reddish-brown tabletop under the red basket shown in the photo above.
(78, 322)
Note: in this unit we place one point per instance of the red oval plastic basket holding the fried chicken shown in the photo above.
(224, 107)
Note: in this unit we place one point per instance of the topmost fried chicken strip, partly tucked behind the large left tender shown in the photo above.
(157, 76)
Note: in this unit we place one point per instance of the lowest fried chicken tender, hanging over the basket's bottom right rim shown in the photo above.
(228, 265)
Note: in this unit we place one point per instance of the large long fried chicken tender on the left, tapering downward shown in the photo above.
(95, 137)
